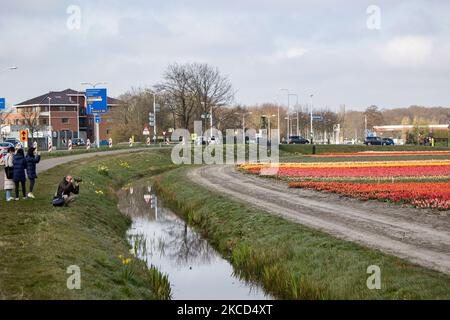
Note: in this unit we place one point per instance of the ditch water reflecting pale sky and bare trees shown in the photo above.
(162, 239)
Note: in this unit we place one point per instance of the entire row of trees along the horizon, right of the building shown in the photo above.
(191, 92)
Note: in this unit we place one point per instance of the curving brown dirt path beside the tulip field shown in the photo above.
(416, 235)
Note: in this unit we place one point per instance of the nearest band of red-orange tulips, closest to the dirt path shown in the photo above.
(435, 195)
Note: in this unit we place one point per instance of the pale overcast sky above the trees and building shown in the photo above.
(308, 46)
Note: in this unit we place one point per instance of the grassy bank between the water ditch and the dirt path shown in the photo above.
(292, 261)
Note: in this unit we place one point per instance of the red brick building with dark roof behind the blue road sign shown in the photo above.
(64, 113)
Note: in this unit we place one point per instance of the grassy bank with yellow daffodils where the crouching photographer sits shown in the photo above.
(38, 242)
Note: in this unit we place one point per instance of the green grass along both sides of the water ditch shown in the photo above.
(38, 242)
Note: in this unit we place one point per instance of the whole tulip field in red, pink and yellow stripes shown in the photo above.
(415, 183)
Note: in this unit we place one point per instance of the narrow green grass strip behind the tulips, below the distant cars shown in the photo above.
(308, 149)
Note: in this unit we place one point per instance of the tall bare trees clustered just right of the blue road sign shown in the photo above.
(186, 92)
